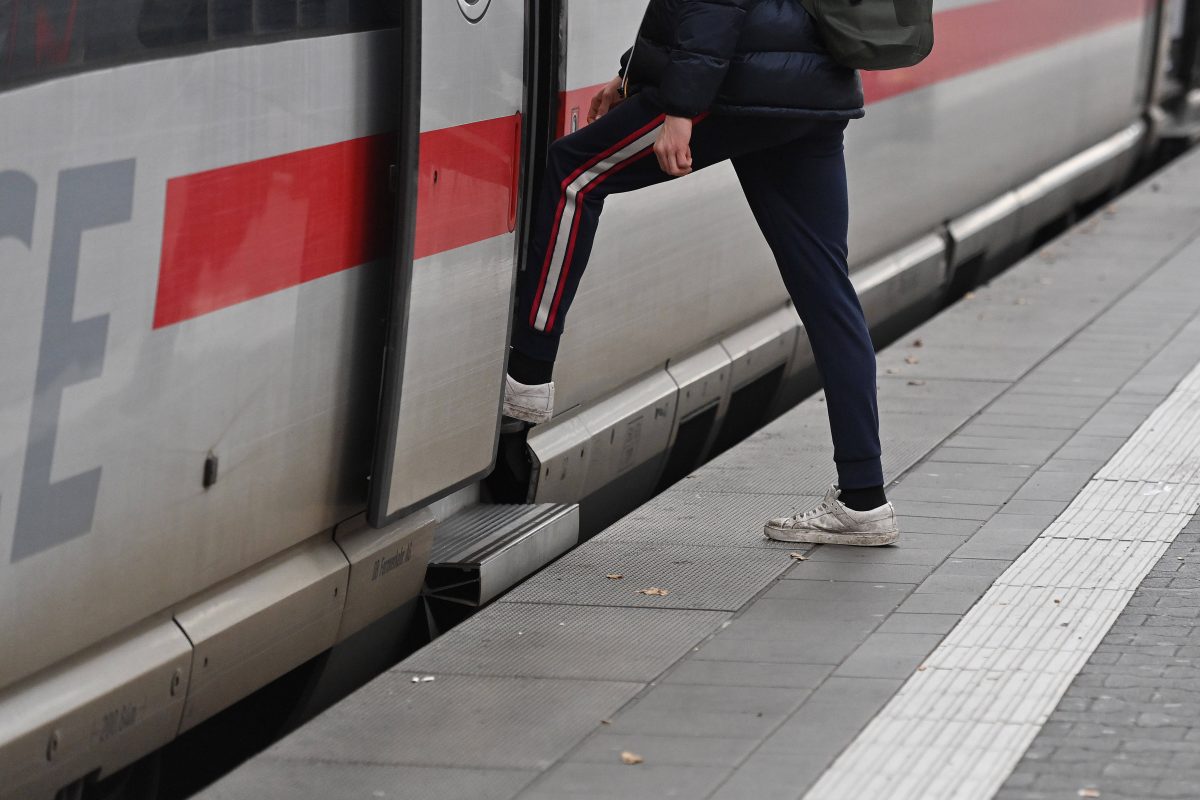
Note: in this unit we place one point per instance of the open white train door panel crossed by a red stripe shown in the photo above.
(457, 179)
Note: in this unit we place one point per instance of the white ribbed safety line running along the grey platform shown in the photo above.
(963, 721)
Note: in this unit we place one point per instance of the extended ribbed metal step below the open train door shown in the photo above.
(485, 550)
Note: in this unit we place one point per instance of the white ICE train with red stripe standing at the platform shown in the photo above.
(257, 262)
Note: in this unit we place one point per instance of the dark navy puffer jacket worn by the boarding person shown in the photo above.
(740, 57)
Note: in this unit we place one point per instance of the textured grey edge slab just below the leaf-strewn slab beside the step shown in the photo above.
(543, 641)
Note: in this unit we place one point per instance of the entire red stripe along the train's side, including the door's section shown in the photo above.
(243, 232)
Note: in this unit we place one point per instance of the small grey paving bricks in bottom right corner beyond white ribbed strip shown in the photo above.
(1127, 729)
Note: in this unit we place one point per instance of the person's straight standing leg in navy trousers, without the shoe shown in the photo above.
(797, 193)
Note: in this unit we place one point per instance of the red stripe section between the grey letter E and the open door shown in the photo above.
(242, 232)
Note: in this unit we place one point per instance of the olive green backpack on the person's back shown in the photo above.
(875, 34)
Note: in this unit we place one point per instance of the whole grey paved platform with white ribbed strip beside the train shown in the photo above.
(1034, 635)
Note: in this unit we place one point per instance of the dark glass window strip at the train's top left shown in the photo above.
(44, 39)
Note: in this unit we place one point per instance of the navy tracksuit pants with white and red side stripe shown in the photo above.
(794, 175)
